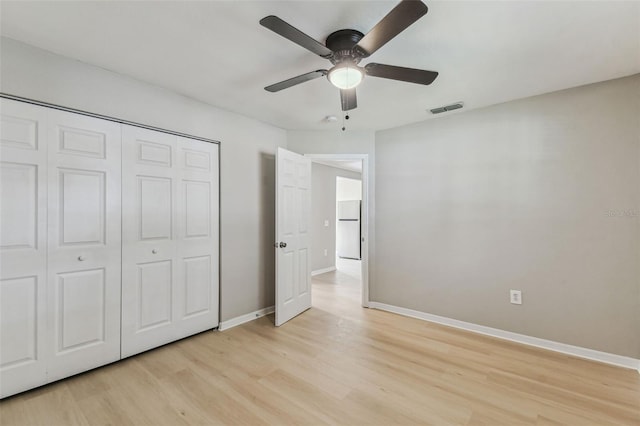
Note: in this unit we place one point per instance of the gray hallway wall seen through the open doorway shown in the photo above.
(323, 207)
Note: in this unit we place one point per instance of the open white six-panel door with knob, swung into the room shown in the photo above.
(293, 209)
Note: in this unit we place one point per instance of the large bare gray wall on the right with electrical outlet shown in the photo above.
(540, 194)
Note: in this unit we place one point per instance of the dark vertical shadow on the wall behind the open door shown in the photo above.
(267, 228)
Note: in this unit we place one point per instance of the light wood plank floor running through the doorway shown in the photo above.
(338, 364)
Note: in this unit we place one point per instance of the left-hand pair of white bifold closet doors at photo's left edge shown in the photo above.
(60, 245)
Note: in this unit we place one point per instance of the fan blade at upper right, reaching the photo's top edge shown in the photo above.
(396, 21)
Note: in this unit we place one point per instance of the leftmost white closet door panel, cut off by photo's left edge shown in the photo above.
(23, 246)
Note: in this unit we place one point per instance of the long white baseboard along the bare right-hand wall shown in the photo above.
(591, 354)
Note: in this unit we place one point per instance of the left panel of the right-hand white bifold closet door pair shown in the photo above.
(149, 272)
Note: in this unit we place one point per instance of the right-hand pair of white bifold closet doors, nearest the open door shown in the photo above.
(170, 238)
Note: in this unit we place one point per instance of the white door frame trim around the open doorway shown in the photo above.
(319, 158)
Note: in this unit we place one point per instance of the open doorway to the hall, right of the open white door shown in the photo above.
(346, 273)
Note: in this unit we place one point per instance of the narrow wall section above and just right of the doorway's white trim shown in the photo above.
(347, 142)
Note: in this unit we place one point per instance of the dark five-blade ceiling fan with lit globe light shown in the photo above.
(346, 48)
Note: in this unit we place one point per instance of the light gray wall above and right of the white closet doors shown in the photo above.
(247, 155)
